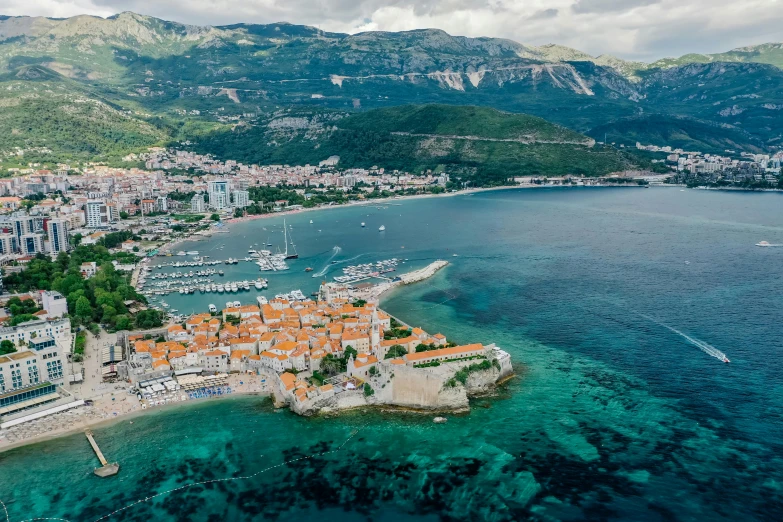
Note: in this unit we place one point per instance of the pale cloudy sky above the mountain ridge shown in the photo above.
(631, 29)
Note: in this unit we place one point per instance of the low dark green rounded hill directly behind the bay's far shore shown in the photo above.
(485, 144)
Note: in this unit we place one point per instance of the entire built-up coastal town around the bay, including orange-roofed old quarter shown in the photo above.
(87, 336)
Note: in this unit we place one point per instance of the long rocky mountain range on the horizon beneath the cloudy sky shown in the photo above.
(162, 72)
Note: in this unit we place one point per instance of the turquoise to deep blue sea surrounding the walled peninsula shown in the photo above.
(609, 301)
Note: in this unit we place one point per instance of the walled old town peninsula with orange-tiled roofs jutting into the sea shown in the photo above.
(317, 356)
